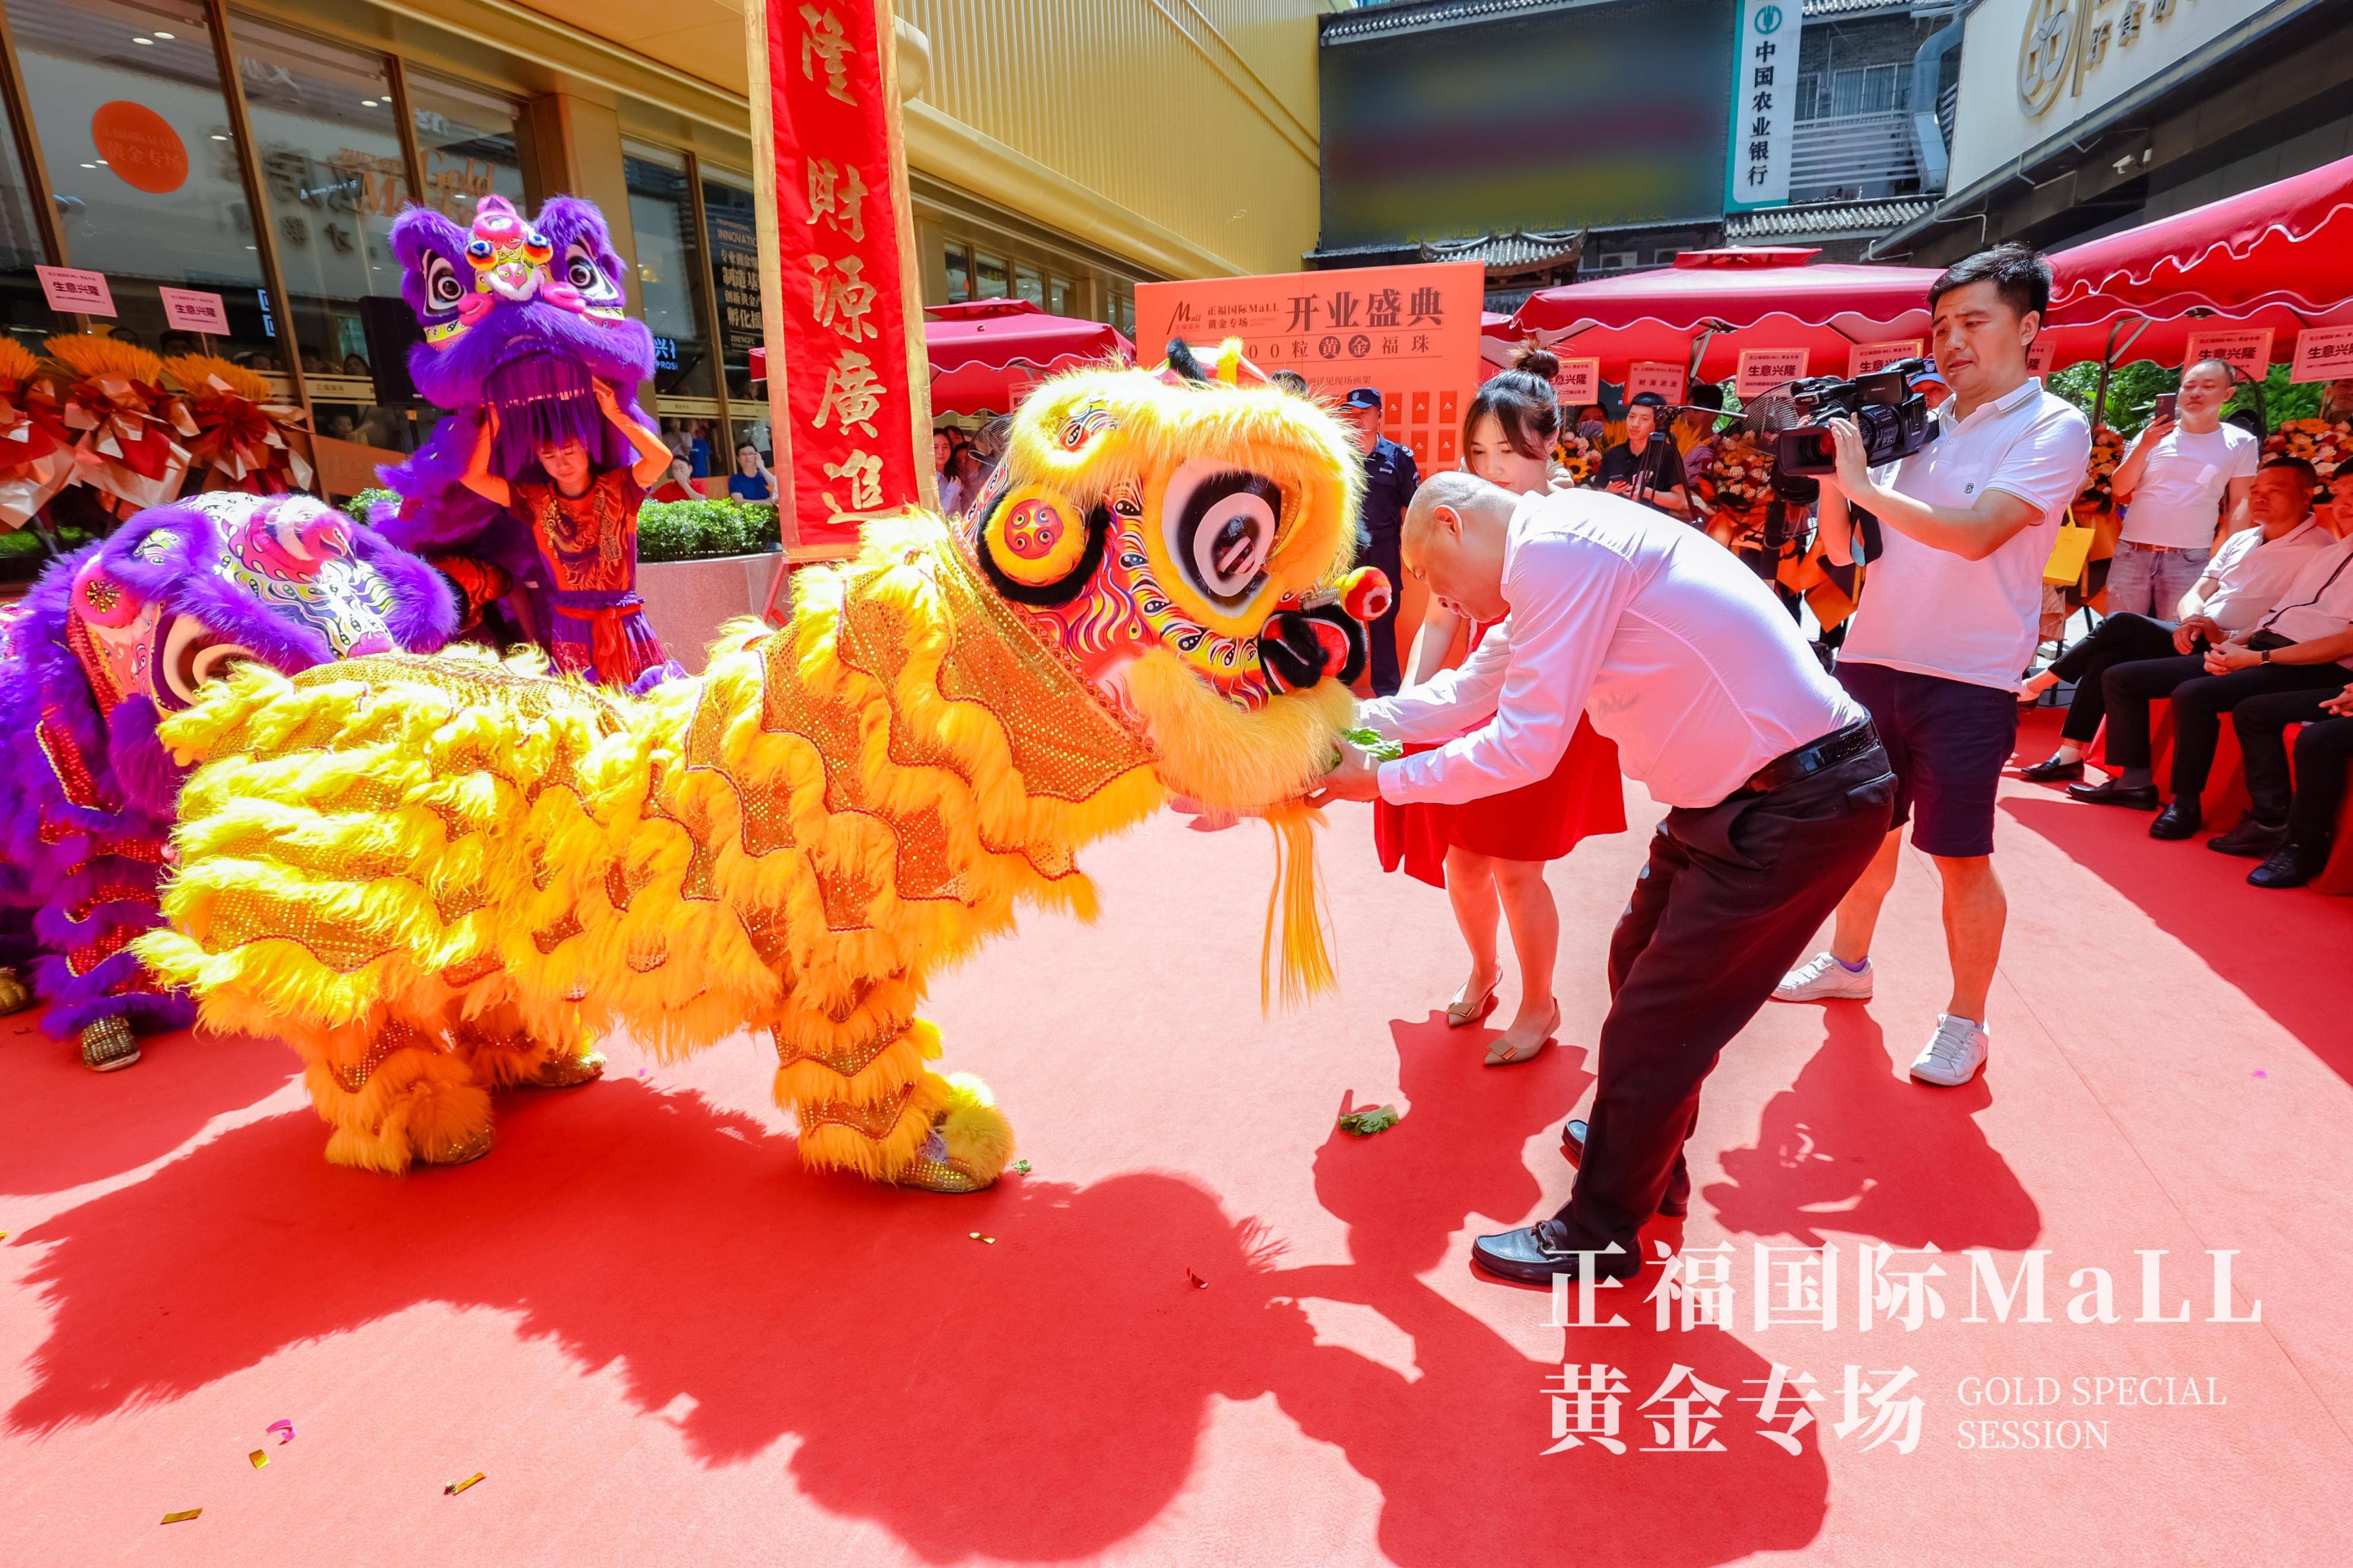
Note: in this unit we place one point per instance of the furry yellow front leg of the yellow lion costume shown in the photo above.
(860, 1080)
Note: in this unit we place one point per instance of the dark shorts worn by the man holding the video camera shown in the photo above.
(1947, 744)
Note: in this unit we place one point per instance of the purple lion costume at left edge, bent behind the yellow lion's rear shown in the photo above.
(109, 643)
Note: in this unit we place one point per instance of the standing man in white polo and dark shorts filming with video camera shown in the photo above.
(1949, 622)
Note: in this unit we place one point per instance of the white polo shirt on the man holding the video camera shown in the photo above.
(1935, 612)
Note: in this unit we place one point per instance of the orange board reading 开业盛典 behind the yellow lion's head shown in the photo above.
(1406, 330)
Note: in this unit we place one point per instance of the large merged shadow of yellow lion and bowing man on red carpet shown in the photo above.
(1029, 1400)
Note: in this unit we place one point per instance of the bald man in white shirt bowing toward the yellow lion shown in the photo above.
(1778, 796)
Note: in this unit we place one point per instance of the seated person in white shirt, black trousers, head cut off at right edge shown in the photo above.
(2295, 648)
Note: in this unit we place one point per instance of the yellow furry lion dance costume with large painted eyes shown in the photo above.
(444, 876)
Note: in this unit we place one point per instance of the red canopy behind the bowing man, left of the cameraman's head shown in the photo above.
(1764, 297)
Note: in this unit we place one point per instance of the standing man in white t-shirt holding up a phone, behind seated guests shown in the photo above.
(2175, 483)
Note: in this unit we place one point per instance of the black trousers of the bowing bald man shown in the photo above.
(1726, 906)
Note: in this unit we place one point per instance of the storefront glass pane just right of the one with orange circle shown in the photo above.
(335, 180)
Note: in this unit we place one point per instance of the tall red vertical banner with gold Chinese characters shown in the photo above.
(841, 302)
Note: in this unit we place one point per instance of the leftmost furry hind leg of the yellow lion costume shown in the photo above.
(394, 1097)
